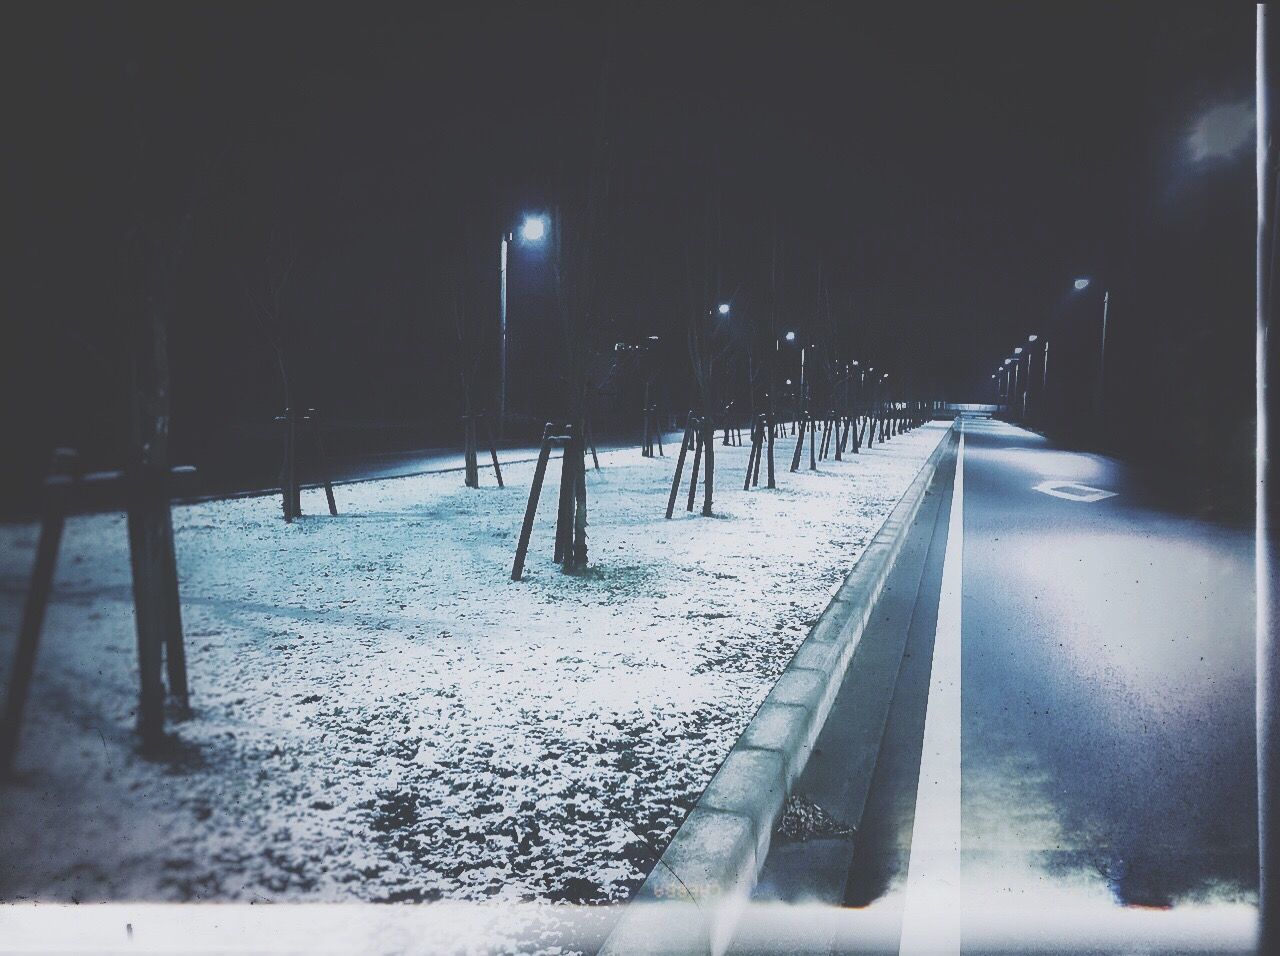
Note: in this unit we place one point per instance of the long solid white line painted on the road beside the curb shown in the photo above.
(932, 911)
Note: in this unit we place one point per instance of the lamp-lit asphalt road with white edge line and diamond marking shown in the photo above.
(1067, 760)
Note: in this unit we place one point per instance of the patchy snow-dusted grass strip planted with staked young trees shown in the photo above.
(382, 715)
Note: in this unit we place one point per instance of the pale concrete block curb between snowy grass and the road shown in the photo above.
(712, 863)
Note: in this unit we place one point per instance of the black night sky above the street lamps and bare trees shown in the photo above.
(952, 170)
